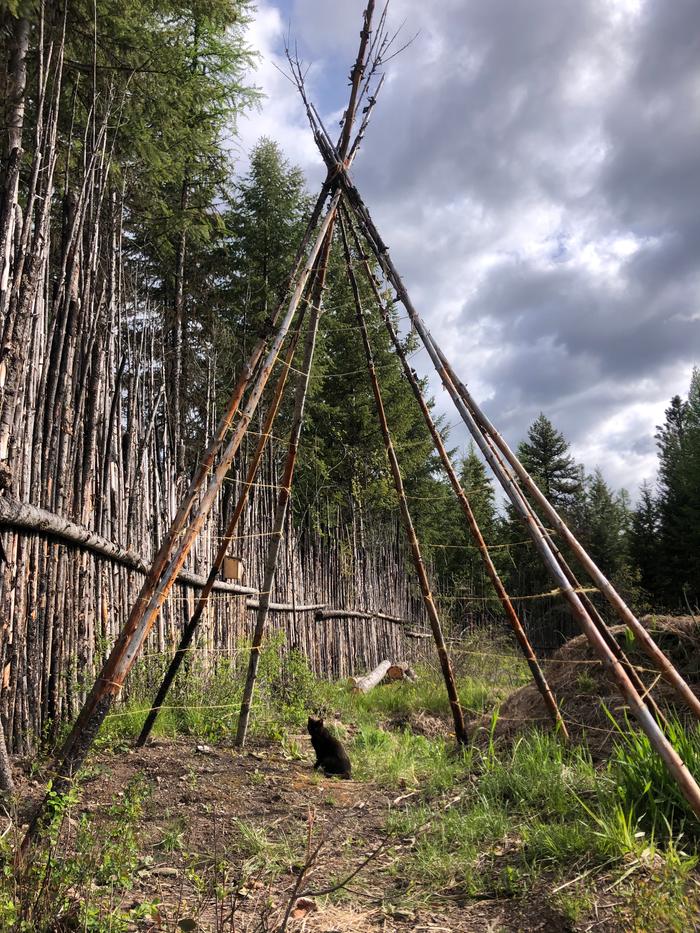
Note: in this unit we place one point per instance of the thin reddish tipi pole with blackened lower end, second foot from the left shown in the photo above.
(193, 623)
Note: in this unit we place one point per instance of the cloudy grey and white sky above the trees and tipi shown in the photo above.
(534, 166)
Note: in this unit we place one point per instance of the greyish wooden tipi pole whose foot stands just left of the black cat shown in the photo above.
(284, 493)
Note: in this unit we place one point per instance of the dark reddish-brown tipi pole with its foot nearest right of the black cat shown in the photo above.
(428, 601)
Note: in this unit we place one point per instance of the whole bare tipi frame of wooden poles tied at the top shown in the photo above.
(517, 484)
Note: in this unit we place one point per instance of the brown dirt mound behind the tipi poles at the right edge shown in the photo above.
(584, 689)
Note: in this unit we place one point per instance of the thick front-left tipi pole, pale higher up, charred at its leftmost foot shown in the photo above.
(128, 645)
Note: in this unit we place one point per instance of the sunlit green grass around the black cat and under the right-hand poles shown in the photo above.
(474, 822)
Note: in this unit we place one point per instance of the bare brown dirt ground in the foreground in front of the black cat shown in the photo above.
(197, 798)
